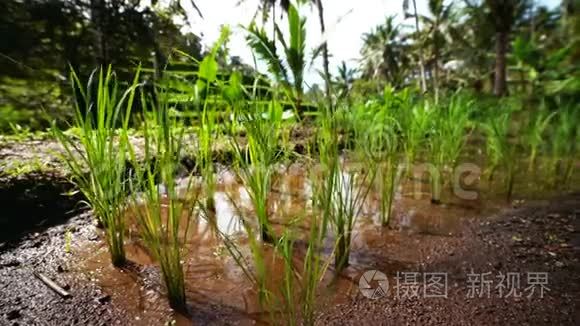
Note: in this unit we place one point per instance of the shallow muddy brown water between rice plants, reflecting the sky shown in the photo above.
(218, 290)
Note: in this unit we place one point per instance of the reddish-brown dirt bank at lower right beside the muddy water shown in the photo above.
(539, 237)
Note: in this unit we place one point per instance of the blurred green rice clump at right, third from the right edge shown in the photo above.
(500, 150)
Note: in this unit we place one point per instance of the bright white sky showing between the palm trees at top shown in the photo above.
(346, 22)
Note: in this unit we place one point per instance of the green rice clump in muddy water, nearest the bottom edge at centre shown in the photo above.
(295, 295)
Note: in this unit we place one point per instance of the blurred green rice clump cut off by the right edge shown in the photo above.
(564, 144)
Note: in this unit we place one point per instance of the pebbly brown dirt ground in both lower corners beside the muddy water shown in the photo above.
(540, 236)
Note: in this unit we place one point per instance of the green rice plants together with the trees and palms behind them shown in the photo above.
(429, 96)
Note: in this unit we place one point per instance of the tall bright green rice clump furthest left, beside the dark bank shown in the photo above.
(97, 157)
